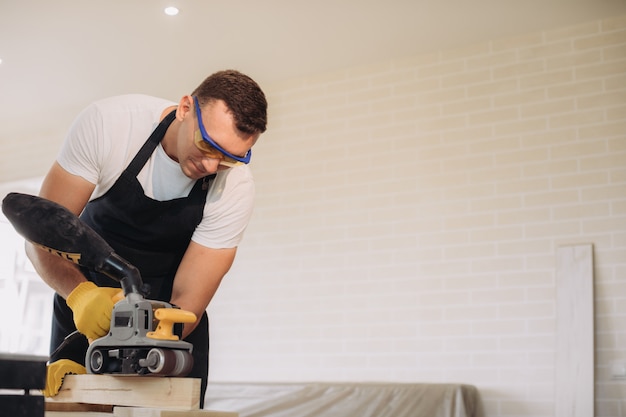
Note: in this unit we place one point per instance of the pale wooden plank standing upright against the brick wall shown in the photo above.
(575, 333)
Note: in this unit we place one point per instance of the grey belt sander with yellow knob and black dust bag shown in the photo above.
(141, 340)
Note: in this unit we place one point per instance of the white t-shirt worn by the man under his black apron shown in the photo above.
(107, 135)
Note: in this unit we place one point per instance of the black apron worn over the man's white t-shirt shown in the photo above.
(153, 236)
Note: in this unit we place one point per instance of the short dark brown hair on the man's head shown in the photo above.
(242, 95)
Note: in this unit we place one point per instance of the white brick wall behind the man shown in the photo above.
(408, 215)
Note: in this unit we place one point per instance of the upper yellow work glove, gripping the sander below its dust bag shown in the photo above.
(92, 306)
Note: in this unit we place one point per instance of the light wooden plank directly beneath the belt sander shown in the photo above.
(134, 391)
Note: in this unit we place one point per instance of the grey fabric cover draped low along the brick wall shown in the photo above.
(345, 399)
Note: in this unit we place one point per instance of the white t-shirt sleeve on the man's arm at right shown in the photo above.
(227, 211)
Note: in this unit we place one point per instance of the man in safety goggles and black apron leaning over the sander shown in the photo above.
(168, 187)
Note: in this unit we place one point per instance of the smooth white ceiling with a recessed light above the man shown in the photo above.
(57, 56)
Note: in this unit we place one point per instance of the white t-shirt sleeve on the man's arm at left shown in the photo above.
(82, 151)
